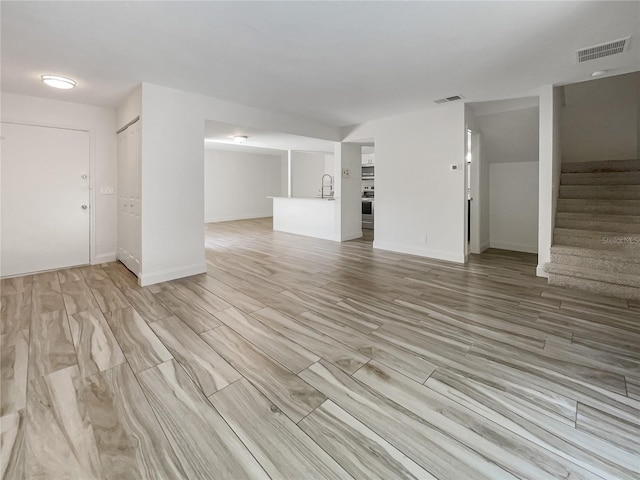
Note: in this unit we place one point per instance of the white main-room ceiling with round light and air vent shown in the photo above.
(338, 63)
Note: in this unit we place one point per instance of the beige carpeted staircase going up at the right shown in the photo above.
(596, 240)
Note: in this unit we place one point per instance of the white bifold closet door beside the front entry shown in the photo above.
(129, 240)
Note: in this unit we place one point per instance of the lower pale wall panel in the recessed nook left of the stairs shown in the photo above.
(514, 206)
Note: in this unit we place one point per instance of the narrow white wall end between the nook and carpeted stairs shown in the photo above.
(550, 164)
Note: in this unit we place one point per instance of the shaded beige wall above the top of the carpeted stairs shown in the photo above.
(601, 119)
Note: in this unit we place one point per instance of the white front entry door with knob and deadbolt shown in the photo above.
(45, 198)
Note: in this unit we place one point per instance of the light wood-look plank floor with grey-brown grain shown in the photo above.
(299, 358)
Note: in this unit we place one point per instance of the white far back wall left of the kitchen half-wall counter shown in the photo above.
(237, 184)
